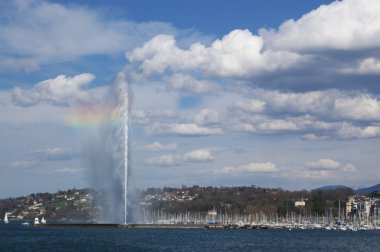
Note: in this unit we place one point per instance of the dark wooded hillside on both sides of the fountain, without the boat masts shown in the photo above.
(79, 203)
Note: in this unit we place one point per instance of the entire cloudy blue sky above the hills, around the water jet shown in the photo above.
(270, 93)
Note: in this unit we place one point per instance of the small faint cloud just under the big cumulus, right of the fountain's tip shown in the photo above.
(187, 84)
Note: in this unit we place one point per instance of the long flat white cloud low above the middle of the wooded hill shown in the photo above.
(249, 168)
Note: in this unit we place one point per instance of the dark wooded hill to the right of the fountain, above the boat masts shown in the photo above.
(245, 199)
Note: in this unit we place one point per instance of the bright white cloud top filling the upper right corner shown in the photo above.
(343, 25)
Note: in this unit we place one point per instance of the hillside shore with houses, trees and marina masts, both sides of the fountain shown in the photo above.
(246, 204)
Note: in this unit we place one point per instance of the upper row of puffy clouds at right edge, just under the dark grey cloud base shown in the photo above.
(327, 103)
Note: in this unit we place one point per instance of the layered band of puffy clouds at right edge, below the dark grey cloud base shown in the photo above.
(315, 115)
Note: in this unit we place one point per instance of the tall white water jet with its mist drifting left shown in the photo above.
(108, 155)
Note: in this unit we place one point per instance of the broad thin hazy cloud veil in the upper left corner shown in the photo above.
(43, 32)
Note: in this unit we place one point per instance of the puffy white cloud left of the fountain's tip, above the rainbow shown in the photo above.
(62, 90)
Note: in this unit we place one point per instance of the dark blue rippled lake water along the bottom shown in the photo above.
(15, 237)
